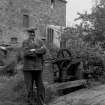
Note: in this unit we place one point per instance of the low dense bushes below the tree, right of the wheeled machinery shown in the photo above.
(93, 58)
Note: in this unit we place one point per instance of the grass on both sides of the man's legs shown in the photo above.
(12, 90)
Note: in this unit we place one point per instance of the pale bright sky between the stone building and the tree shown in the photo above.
(74, 6)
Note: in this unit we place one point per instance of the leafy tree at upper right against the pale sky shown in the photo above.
(94, 23)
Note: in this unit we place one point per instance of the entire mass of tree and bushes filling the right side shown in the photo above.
(93, 46)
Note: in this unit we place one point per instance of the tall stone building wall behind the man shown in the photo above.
(18, 15)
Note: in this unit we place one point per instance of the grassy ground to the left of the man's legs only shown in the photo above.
(12, 90)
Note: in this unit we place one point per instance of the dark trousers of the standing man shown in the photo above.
(29, 78)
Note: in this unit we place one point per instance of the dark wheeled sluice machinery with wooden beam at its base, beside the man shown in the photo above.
(66, 72)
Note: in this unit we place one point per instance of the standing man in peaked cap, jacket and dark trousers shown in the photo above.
(34, 50)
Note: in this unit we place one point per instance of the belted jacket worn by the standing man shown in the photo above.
(33, 60)
